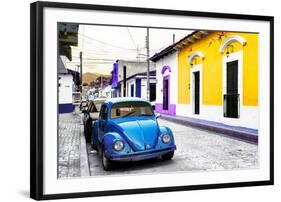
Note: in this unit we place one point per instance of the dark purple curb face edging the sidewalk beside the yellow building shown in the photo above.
(225, 131)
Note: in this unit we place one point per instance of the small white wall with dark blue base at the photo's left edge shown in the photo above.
(65, 89)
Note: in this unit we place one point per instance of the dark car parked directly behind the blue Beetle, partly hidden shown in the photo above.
(91, 114)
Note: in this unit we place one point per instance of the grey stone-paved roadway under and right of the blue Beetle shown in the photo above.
(197, 150)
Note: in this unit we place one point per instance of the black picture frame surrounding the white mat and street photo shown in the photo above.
(37, 99)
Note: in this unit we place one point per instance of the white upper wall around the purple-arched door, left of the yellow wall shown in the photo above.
(172, 61)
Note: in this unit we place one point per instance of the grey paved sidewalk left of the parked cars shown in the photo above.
(71, 156)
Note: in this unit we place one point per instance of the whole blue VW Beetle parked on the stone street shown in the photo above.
(127, 130)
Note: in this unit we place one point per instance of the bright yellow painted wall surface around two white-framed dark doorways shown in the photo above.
(212, 68)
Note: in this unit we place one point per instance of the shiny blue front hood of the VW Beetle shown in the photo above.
(141, 133)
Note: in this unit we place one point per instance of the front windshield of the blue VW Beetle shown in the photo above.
(125, 109)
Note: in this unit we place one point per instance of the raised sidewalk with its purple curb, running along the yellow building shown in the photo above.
(243, 133)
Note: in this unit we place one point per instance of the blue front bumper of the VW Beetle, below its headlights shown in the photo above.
(142, 155)
